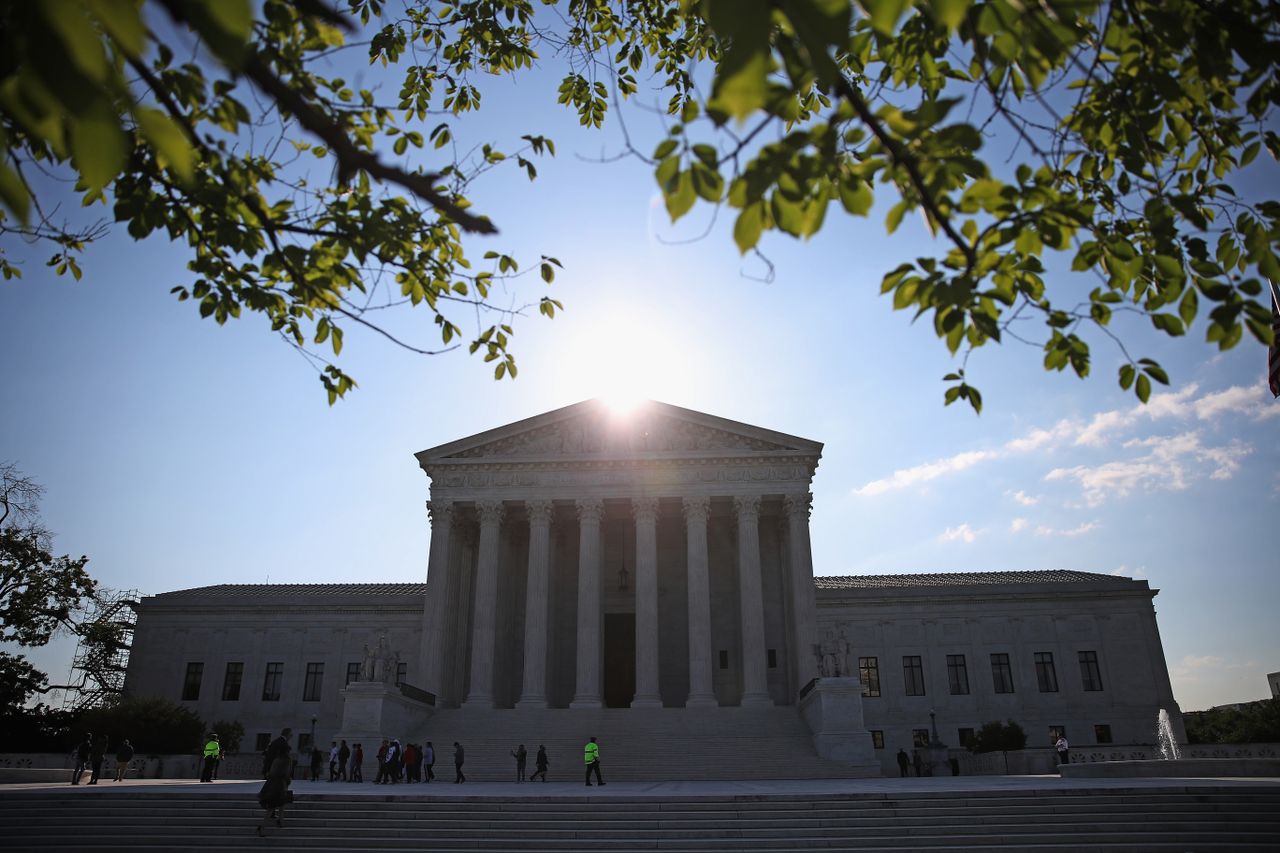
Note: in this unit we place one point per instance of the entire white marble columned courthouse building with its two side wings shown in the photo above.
(589, 563)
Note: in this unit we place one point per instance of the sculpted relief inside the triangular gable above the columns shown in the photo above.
(589, 436)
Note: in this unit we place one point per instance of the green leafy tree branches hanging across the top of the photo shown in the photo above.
(1132, 185)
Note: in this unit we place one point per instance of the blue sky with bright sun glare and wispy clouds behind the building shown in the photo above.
(179, 454)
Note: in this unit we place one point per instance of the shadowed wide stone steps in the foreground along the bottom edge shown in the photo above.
(1187, 818)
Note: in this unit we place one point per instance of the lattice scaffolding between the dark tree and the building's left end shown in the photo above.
(103, 650)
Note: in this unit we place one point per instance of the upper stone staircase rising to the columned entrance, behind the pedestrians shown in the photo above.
(636, 745)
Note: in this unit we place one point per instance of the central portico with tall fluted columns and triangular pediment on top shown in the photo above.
(587, 559)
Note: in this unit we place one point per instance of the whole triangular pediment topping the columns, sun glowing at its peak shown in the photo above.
(592, 428)
